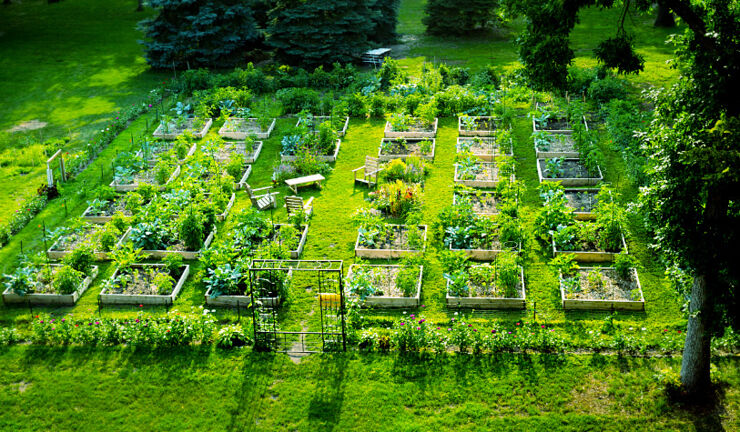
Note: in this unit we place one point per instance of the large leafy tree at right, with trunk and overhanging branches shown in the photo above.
(692, 203)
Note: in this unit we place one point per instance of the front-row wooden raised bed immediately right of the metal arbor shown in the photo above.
(384, 279)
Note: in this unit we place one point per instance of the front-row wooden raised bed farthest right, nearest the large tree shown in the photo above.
(606, 291)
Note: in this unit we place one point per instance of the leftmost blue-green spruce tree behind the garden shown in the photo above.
(200, 33)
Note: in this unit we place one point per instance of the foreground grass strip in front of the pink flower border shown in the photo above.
(200, 389)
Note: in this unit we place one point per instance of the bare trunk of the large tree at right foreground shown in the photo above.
(696, 352)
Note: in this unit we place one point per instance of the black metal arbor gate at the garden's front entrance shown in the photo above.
(325, 277)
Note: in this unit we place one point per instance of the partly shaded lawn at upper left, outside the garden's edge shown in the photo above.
(70, 65)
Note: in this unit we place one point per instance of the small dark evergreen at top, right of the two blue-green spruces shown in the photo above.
(460, 17)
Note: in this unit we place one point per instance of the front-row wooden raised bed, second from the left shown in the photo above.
(141, 291)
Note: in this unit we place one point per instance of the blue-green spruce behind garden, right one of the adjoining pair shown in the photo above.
(319, 32)
